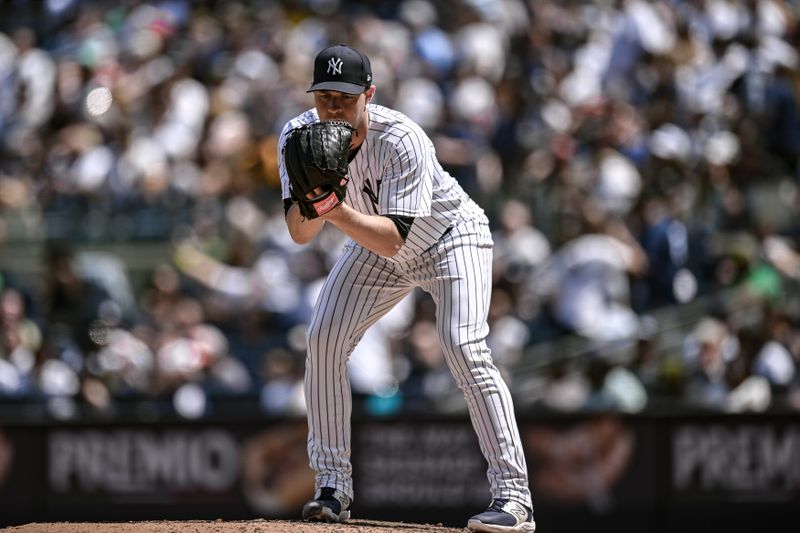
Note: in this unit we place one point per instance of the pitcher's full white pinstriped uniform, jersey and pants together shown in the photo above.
(397, 167)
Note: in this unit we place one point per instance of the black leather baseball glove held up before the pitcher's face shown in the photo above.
(316, 162)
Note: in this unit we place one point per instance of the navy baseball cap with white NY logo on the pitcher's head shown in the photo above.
(341, 68)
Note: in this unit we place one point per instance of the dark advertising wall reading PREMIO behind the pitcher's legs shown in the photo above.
(634, 473)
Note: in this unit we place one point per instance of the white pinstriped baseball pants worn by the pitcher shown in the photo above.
(361, 288)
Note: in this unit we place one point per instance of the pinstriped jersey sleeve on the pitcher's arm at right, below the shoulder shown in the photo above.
(407, 188)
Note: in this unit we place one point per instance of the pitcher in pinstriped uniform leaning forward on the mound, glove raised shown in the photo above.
(373, 173)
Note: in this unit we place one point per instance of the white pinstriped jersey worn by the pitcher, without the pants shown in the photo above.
(396, 172)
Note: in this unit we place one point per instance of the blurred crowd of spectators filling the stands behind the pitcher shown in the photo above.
(633, 156)
